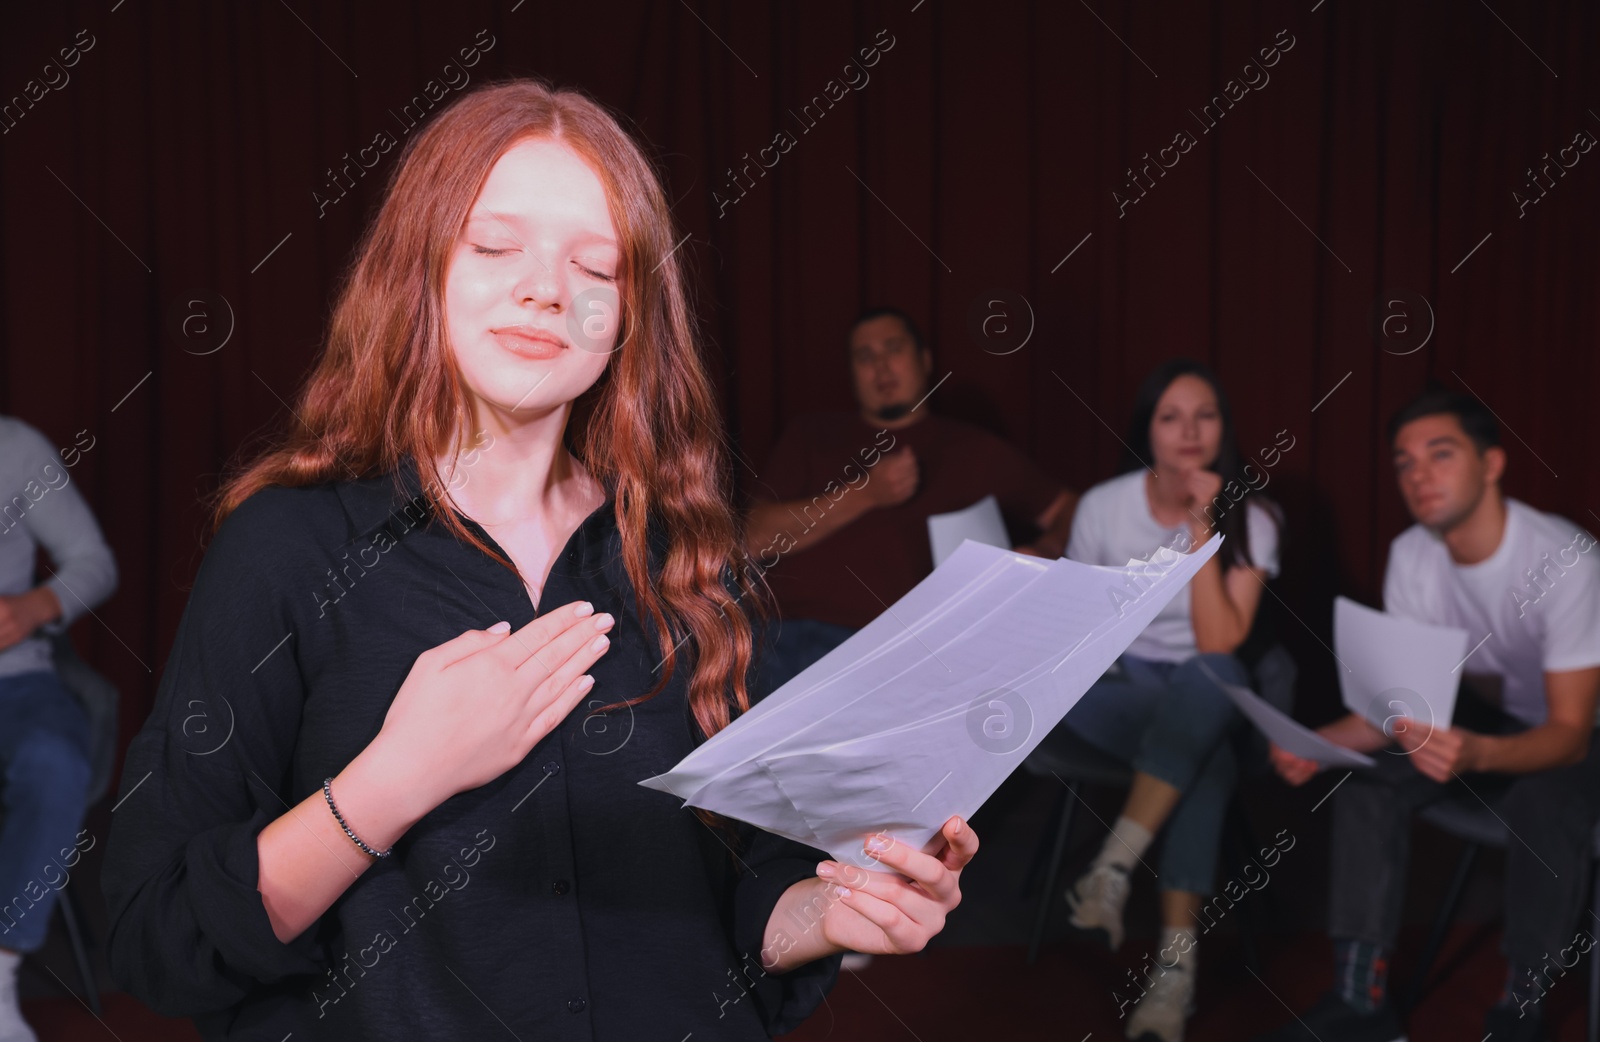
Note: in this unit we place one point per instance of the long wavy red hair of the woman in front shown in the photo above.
(650, 430)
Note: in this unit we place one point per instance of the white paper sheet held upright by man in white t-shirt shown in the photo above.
(1394, 668)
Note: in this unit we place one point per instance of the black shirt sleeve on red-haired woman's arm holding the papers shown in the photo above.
(775, 865)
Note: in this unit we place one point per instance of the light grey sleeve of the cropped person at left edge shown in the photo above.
(86, 572)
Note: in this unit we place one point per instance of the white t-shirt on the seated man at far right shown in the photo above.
(1537, 599)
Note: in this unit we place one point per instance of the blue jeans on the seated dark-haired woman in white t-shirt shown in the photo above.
(1174, 723)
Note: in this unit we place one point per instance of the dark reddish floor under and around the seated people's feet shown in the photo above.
(974, 982)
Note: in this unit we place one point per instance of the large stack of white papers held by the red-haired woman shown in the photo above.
(927, 710)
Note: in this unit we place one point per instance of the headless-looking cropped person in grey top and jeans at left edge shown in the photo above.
(44, 734)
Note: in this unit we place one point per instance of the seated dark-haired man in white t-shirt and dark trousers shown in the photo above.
(1527, 590)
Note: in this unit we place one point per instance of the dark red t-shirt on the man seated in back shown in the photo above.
(828, 457)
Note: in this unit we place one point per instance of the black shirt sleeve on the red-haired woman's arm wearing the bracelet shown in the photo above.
(188, 931)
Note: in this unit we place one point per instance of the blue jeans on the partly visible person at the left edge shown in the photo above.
(44, 784)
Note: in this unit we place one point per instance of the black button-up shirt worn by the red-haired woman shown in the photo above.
(559, 902)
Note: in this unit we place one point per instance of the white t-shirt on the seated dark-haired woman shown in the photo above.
(1113, 526)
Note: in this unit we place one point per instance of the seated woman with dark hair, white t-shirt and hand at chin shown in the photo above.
(1156, 708)
